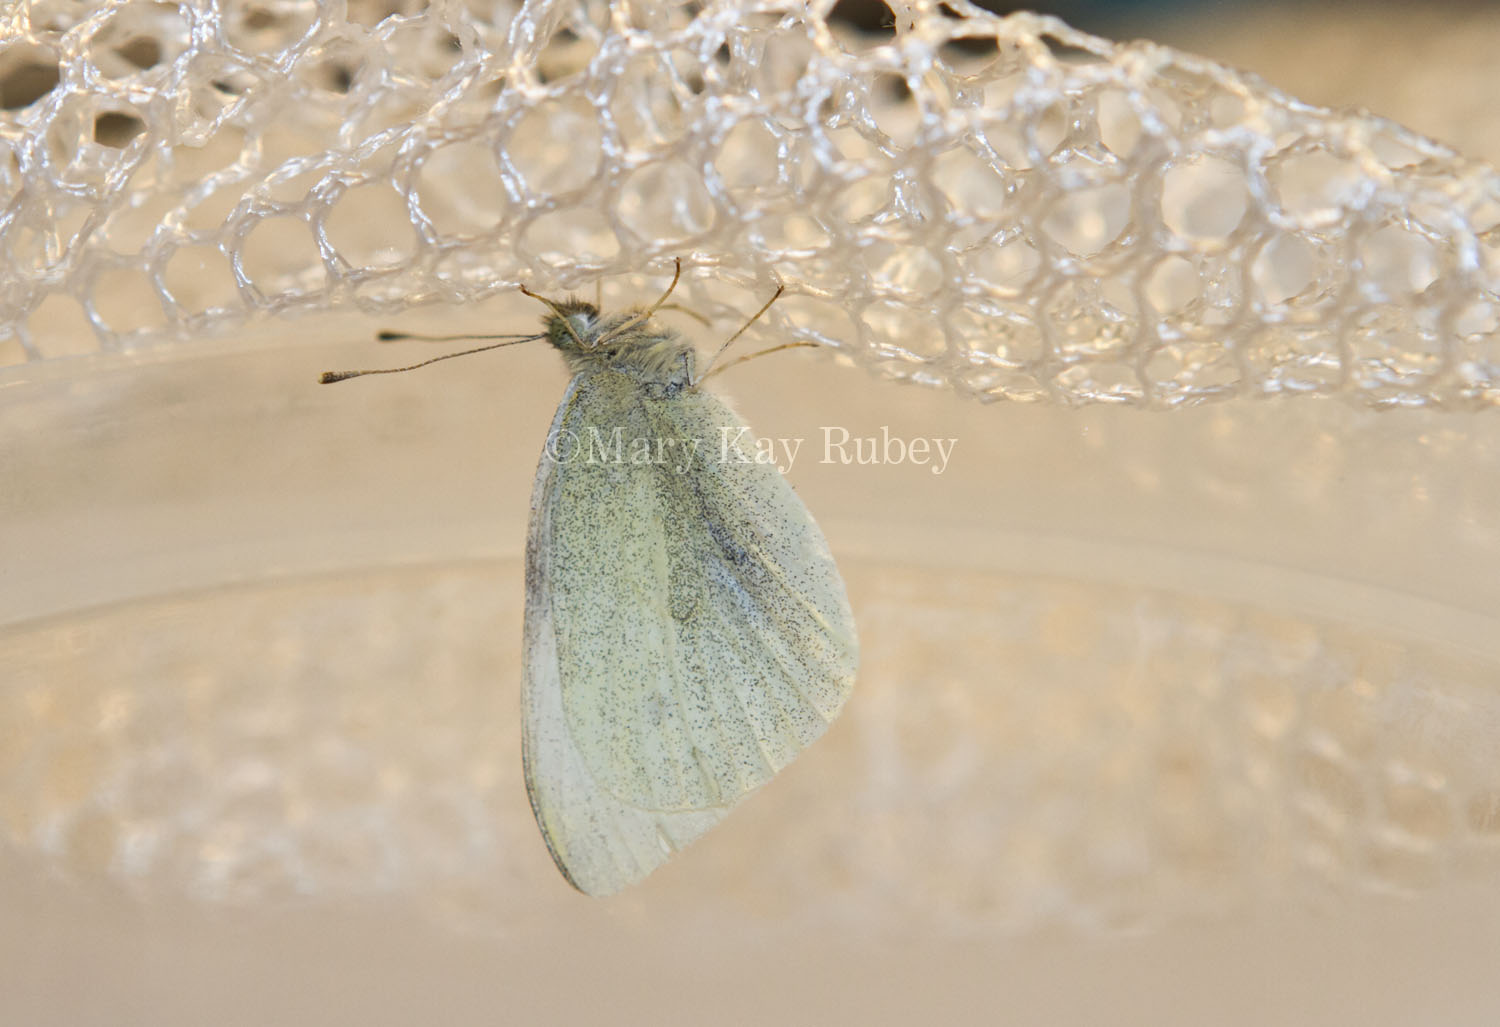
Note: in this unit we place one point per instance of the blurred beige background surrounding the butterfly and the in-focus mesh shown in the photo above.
(1163, 719)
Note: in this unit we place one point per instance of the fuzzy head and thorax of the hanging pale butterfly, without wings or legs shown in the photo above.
(622, 343)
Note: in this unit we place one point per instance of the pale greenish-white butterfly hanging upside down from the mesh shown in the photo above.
(688, 632)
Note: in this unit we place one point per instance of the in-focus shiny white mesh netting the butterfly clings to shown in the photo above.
(1004, 206)
